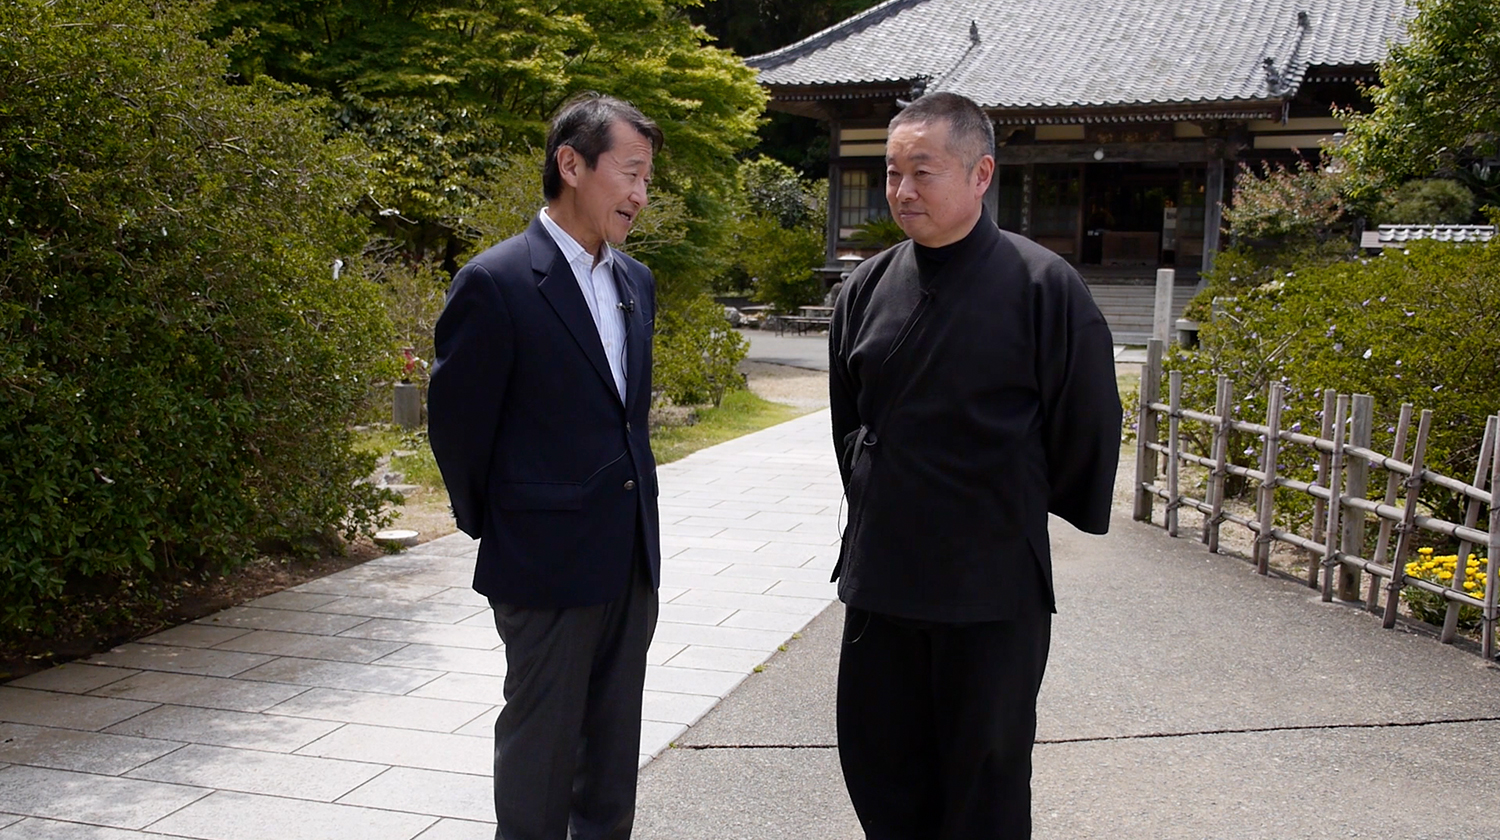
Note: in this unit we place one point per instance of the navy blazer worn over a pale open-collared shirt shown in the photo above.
(544, 463)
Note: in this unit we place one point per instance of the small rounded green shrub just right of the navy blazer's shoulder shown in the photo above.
(695, 353)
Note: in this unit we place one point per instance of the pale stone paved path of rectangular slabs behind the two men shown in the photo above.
(362, 706)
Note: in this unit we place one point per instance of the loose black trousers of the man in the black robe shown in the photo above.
(937, 725)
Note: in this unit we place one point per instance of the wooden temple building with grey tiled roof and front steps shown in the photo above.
(1120, 124)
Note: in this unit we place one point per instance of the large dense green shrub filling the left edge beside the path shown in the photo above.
(178, 362)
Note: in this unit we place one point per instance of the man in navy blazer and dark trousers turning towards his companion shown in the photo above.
(538, 418)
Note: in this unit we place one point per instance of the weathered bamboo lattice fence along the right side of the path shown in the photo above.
(1343, 511)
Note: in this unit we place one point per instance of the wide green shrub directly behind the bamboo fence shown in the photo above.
(1421, 328)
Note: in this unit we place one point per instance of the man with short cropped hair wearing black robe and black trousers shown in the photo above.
(973, 388)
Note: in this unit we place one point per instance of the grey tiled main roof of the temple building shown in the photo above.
(1093, 53)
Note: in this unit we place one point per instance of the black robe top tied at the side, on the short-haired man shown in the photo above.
(970, 400)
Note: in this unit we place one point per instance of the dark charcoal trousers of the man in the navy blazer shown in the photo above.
(569, 739)
